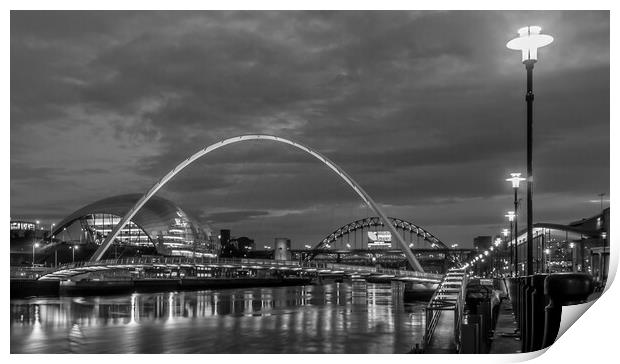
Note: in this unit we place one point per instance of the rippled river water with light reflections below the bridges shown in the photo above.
(332, 318)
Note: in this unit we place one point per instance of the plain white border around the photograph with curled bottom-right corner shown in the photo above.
(593, 338)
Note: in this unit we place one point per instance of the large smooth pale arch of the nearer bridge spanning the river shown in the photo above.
(342, 174)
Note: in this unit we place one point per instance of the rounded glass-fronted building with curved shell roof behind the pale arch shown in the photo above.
(159, 224)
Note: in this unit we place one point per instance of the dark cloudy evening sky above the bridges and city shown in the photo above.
(425, 110)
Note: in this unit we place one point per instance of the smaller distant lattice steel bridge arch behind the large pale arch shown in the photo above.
(374, 221)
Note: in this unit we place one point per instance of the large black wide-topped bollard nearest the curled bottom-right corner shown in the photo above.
(563, 289)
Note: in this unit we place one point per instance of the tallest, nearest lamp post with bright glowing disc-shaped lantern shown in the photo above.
(528, 42)
